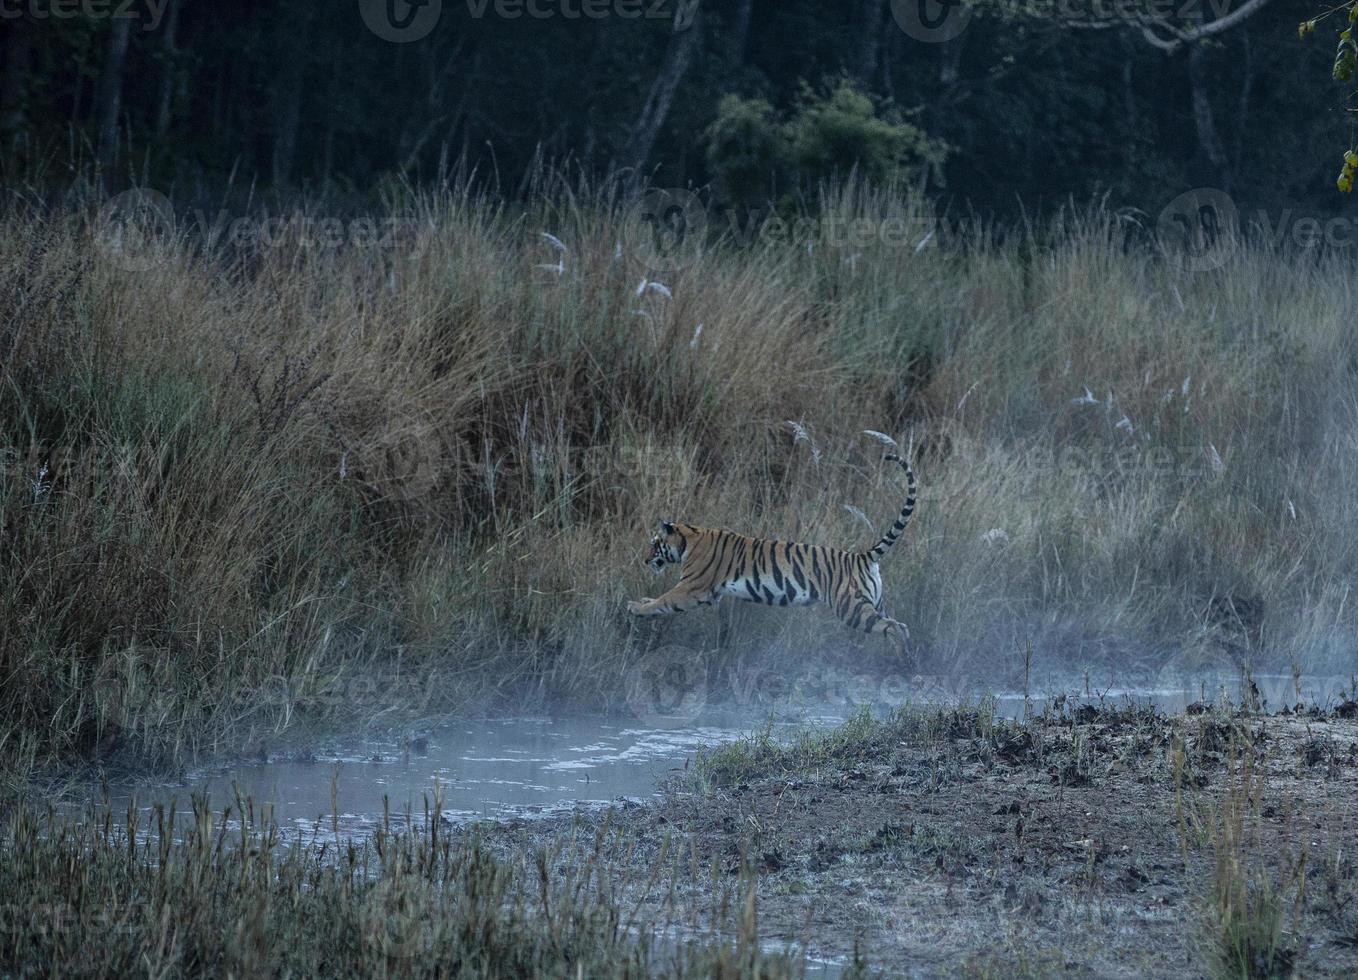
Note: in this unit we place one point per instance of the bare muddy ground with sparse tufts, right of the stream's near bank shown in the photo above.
(1084, 844)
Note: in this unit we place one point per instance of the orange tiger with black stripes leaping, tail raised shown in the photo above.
(718, 563)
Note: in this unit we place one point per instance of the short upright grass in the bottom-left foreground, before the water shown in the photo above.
(232, 892)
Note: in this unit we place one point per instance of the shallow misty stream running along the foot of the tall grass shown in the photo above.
(534, 768)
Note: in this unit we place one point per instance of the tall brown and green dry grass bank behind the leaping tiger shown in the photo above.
(260, 485)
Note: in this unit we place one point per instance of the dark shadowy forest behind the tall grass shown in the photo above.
(1029, 107)
